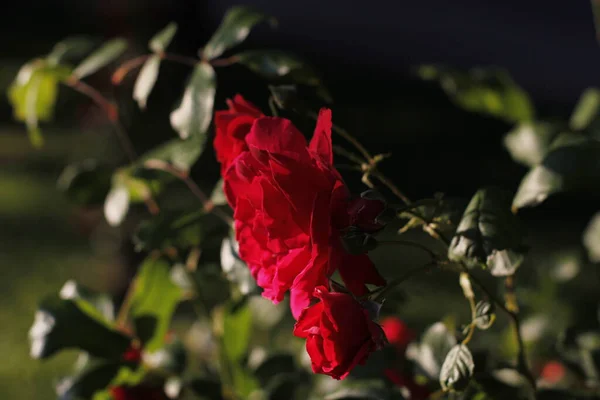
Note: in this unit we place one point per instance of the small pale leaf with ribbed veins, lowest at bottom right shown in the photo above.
(457, 369)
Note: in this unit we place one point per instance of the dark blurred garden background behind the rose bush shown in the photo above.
(366, 55)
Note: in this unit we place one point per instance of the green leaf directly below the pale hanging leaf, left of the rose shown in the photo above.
(182, 154)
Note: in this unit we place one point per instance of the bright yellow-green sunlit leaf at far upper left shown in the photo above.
(33, 95)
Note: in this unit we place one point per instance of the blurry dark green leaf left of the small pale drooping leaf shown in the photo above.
(85, 183)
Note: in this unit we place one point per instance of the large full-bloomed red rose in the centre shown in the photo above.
(290, 209)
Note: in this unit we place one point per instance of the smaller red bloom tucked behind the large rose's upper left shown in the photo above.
(232, 126)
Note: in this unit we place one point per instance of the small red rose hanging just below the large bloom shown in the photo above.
(339, 333)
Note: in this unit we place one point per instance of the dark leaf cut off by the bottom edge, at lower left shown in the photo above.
(86, 383)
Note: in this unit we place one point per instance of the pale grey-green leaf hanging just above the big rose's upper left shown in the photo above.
(192, 116)
